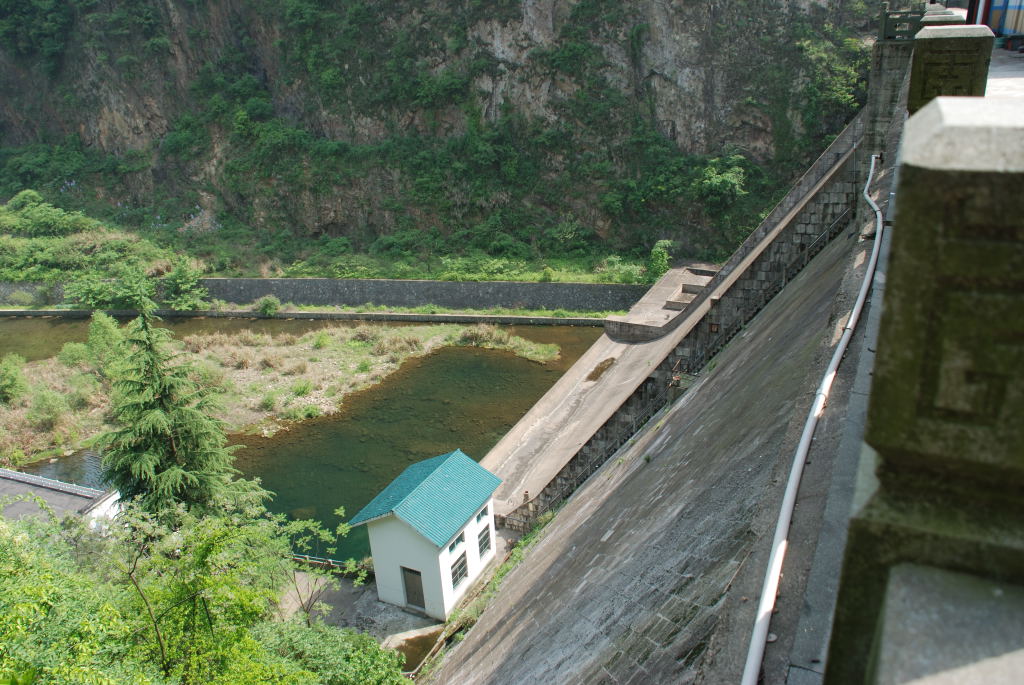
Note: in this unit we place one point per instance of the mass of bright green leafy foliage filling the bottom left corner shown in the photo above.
(149, 603)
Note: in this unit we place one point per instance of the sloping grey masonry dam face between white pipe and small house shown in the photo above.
(642, 576)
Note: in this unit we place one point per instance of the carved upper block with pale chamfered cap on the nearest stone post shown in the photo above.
(950, 381)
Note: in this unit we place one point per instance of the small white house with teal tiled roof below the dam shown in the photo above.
(432, 533)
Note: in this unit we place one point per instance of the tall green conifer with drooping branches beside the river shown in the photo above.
(168, 450)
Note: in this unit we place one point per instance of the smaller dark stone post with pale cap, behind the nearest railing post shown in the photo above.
(950, 61)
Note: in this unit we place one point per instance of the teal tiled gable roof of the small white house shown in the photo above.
(437, 496)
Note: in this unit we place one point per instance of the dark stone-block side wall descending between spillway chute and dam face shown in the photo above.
(820, 207)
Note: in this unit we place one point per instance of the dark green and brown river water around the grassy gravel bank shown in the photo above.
(456, 398)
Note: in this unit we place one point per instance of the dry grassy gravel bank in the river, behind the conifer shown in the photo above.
(266, 381)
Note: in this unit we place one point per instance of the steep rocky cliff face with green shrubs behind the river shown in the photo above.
(375, 118)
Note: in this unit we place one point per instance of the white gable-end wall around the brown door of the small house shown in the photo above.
(395, 544)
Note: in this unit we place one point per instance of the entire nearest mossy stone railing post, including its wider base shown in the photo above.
(947, 415)
